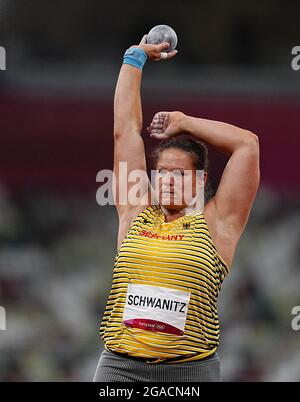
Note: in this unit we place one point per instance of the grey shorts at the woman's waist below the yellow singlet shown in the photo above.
(116, 368)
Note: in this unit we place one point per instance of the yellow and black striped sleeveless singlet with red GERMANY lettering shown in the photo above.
(163, 301)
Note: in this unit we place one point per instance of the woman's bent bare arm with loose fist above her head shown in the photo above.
(228, 211)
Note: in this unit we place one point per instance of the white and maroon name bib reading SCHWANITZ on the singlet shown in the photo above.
(155, 308)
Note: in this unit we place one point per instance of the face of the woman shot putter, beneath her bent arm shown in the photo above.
(177, 180)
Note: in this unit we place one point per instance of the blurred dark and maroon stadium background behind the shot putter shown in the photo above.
(57, 244)
